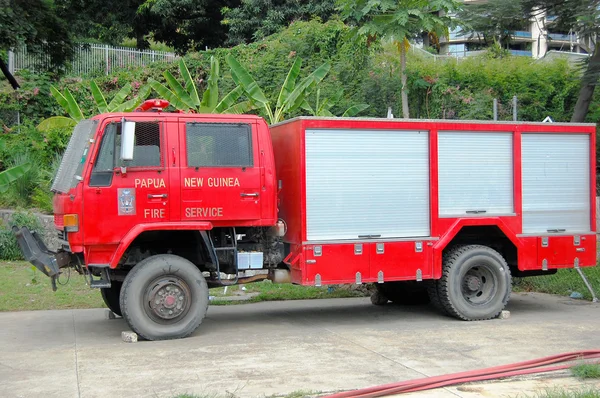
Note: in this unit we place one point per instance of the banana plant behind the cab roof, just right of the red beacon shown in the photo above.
(184, 97)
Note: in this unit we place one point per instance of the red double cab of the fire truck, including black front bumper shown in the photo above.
(191, 188)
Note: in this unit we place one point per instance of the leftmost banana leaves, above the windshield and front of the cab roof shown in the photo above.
(71, 107)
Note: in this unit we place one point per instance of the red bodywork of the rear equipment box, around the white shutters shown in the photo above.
(338, 262)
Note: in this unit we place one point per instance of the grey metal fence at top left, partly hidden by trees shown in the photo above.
(90, 59)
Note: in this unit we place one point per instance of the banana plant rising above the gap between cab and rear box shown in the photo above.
(291, 96)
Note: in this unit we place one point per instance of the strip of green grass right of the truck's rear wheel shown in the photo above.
(563, 283)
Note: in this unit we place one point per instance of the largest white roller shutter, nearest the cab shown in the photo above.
(367, 182)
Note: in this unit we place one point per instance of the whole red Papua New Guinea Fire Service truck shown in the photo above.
(157, 207)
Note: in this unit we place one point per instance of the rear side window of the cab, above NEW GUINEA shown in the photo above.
(219, 145)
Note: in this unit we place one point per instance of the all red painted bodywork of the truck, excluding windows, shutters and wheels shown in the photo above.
(278, 154)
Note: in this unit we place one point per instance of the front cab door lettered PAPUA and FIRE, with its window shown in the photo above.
(121, 194)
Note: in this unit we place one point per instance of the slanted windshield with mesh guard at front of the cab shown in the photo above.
(71, 166)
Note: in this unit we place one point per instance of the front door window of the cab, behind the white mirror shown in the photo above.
(146, 154)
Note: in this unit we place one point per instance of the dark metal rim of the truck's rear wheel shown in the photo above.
(479, 285)
